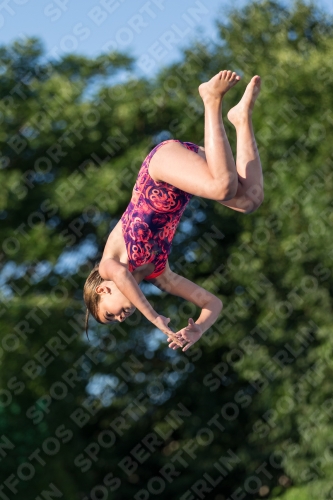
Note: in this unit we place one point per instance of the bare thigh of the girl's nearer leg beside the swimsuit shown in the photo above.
(175, 164)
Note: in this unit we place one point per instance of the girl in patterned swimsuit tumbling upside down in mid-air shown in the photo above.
(139, 245)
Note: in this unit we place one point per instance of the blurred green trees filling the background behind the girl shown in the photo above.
(247, 412)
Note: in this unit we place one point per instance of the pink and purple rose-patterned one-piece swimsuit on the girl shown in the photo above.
(152, 216)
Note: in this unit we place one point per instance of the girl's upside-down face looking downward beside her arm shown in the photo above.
(113, 305)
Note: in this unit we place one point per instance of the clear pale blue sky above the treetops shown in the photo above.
(152, 31)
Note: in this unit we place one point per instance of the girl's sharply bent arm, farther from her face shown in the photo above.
(210, 305)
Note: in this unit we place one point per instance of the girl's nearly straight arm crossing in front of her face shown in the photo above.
(111, 269)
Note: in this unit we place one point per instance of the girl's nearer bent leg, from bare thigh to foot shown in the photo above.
(215, 176)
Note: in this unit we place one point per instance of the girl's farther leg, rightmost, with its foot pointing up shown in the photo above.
(250, 179)
